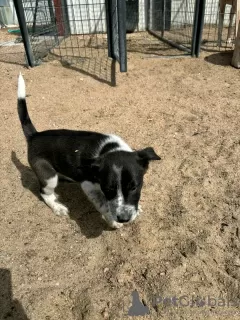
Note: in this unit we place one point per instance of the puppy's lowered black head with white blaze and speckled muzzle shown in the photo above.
(120, 175)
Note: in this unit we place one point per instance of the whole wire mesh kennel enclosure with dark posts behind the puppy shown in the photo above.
(73, 30)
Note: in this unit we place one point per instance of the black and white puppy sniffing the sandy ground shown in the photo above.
(109, 171)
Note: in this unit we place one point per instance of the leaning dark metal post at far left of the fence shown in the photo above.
(24, 32)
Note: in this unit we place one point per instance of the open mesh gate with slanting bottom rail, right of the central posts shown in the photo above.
(177, 23)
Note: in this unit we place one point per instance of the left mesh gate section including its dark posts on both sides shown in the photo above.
(76, 31)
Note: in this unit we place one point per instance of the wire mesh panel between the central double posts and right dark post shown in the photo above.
(161, 27)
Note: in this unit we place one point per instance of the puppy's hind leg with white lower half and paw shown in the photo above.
(48, 179)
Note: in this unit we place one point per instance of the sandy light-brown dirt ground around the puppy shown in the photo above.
(185, 244)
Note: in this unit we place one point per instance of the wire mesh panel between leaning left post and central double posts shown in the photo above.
(69, 29)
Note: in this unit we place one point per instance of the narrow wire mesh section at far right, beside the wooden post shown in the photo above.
(219, 29)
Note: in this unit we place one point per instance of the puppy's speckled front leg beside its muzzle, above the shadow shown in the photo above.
(95, 195)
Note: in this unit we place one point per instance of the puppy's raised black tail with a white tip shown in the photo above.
(28, 127)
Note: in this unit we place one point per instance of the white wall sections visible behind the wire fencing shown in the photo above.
(92, 18)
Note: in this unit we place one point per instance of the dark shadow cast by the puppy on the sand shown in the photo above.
(71, 195)
